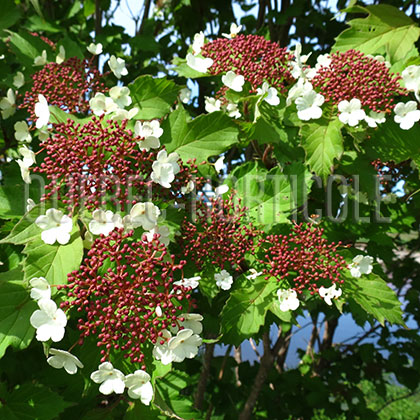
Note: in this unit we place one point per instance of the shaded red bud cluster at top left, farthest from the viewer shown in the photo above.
(66, 85)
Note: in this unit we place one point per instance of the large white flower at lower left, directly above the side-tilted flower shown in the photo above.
(49, 321)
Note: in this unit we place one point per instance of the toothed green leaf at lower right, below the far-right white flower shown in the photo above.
(375, 297)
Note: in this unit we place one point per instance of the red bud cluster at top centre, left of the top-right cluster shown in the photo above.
(253, 57)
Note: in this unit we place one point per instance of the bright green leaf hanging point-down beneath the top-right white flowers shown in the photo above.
(323, 143)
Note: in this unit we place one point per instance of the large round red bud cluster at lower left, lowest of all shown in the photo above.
(125, 294)
